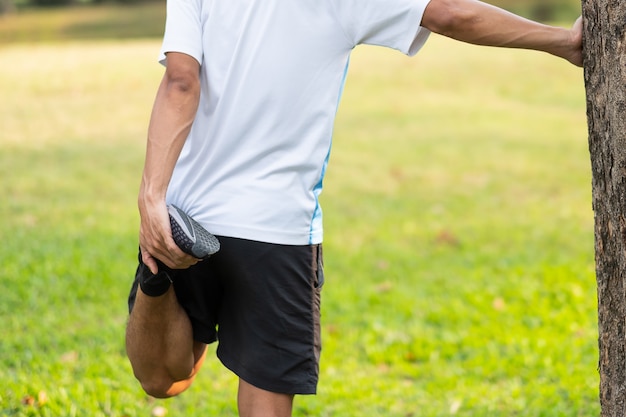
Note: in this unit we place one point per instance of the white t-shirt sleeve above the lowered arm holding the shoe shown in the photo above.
(183, 29)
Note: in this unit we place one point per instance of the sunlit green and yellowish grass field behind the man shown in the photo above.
(459, 237)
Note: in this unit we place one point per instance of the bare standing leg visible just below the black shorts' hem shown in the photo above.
(255, 402)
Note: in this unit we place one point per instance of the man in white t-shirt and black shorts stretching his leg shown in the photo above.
(239, 139)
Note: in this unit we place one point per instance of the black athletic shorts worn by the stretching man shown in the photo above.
(262, 302)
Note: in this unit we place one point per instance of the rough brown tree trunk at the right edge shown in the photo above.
(605, 82)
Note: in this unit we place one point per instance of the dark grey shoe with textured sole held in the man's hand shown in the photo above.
(190, 237)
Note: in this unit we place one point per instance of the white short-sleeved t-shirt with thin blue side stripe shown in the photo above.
(272, 72)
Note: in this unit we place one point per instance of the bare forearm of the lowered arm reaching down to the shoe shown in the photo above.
(172, 116)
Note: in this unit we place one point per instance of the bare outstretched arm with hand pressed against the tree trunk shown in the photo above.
(479, 23)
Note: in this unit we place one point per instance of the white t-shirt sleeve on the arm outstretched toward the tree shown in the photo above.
(391, 23)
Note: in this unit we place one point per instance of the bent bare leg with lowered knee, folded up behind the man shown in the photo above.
(160, 345)
